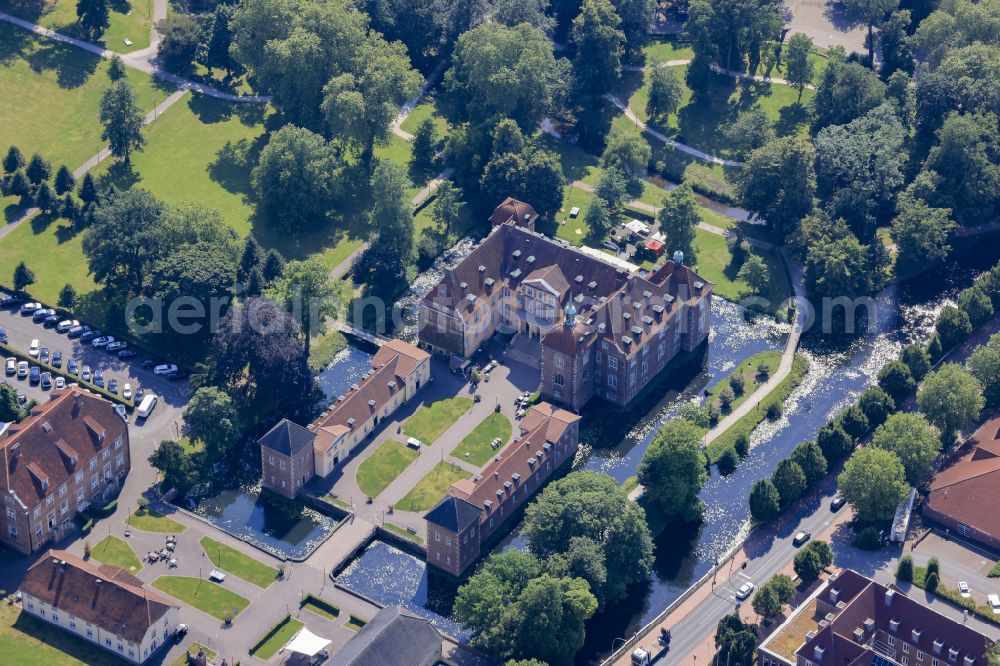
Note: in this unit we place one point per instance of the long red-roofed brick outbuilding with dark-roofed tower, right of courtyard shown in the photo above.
(475, 509)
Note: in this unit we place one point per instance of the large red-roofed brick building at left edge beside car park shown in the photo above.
(67, 453)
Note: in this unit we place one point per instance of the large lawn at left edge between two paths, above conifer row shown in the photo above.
(52, 93)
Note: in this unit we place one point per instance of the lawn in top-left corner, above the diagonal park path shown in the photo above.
(129, 20)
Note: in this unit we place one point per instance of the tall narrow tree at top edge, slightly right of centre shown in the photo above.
(600, 44)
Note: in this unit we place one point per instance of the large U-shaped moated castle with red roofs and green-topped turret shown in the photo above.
(600, 328)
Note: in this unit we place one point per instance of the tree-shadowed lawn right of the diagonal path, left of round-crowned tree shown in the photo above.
(201, 150)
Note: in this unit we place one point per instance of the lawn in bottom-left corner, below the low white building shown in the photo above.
(27, 640)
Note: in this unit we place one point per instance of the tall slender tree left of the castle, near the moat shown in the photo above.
(384, 265)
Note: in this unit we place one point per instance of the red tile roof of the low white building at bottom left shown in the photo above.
(108, 597)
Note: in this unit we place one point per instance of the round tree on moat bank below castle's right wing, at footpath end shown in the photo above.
(673, 470)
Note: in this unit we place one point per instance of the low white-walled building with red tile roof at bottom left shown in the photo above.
(106, 605)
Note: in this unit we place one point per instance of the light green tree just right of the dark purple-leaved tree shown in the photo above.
(309, 295)
